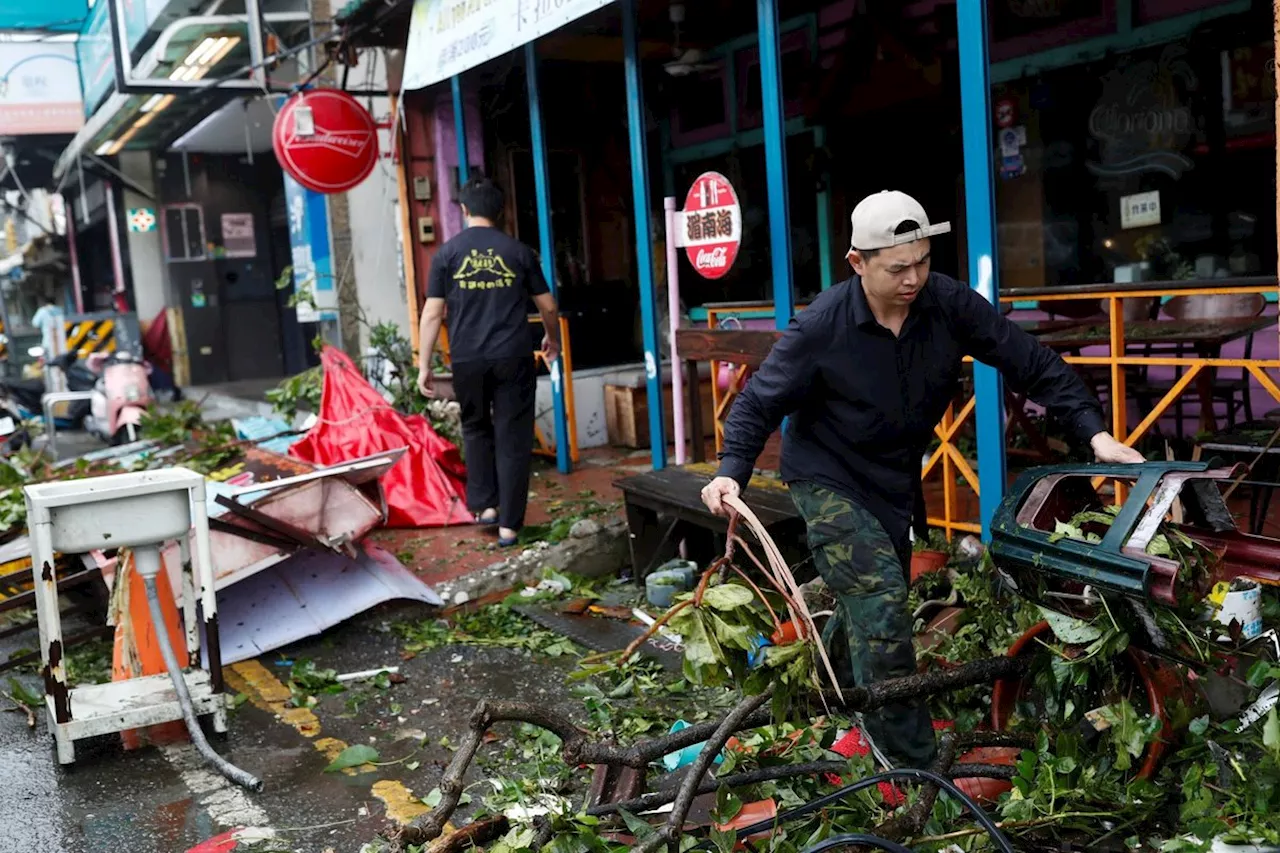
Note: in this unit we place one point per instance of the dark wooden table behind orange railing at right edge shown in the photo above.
(1205, 337)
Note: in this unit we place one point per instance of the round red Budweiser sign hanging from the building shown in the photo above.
(326, 140)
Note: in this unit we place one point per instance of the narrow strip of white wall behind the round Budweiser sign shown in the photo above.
(374, 211)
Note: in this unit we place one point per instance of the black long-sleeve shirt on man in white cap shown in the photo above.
(863, 404)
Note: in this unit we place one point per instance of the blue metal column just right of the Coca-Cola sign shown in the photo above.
(776, 161)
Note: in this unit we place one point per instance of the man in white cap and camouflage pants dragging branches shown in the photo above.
(865, 375)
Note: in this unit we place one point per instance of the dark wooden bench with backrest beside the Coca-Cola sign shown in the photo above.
(665, 508)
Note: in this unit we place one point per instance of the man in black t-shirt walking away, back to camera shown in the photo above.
(483, 281)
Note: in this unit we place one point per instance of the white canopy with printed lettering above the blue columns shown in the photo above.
(447, 39)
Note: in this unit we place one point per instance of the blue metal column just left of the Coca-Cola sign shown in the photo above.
(644, 234)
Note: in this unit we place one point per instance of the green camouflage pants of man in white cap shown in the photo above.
(861, 564)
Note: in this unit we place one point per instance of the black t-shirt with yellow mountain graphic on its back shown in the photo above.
(487, 280)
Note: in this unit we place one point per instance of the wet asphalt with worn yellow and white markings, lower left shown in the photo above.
(162, 799)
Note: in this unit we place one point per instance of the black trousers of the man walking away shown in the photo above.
(497, 402)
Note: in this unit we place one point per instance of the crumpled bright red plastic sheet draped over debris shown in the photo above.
(427, 489)
